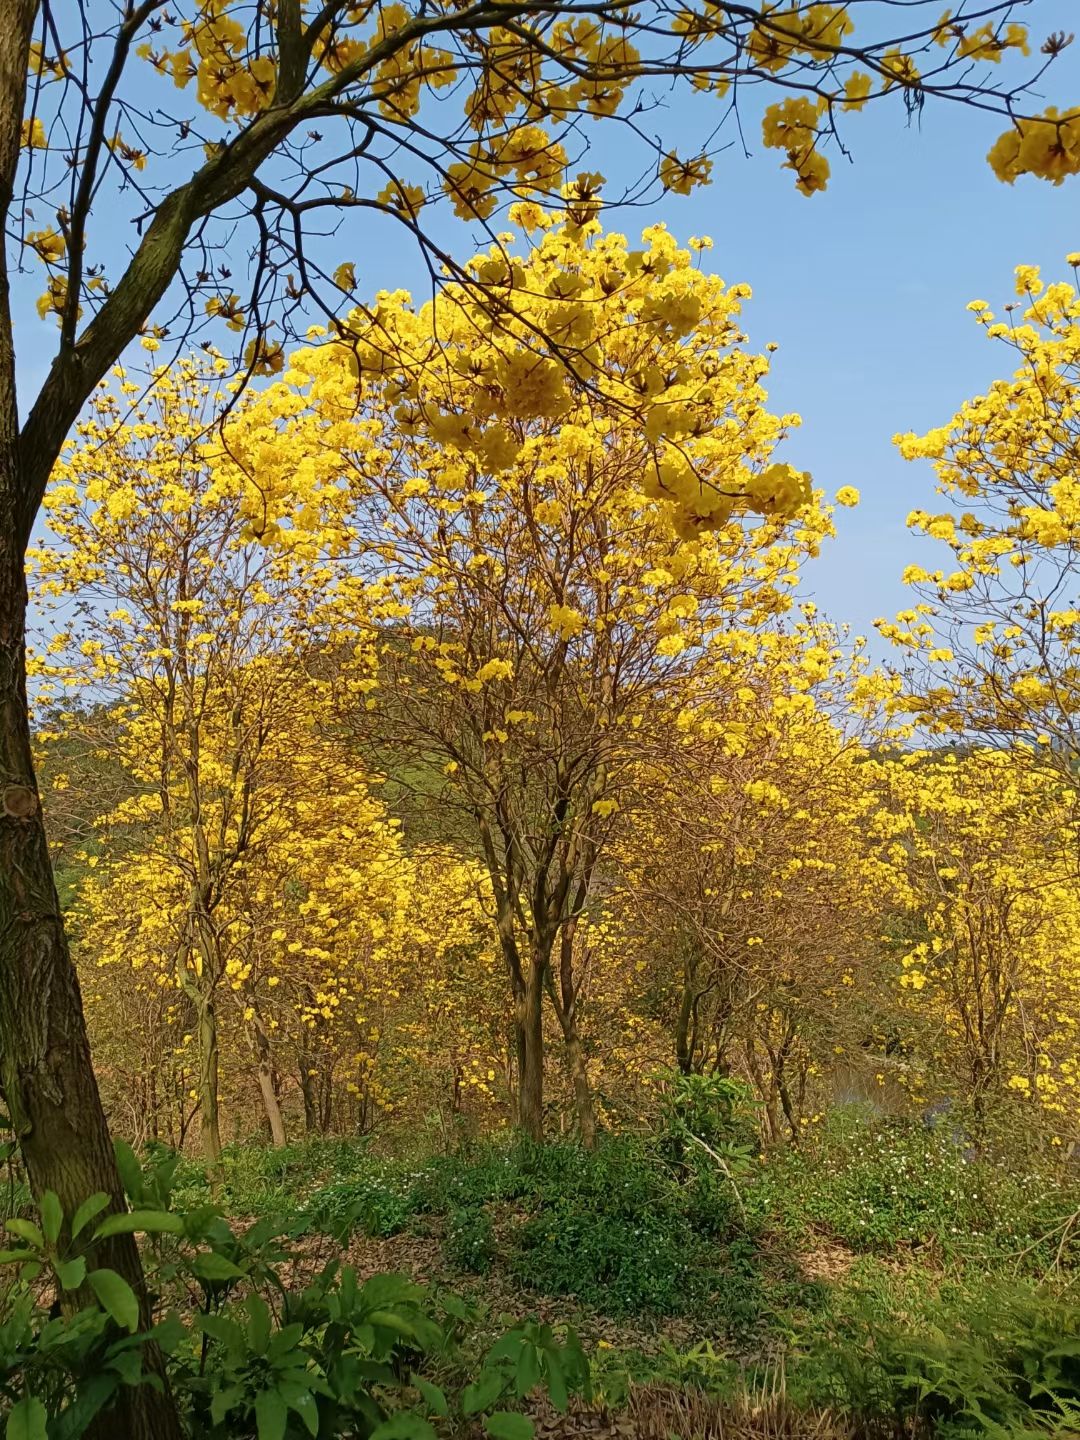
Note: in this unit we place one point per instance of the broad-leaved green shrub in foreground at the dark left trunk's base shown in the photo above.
(248, 1354)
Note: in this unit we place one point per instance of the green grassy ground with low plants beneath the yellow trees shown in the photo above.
(885, 1281)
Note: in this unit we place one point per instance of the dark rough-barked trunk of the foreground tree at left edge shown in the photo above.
(45, 1065)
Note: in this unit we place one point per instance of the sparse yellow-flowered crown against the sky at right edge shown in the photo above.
(994, 639)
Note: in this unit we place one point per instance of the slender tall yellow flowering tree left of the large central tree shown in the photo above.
(201, 650)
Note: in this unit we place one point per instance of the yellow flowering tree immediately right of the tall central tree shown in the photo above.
(742, 882)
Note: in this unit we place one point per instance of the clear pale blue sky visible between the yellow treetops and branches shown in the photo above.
(863, 289)
